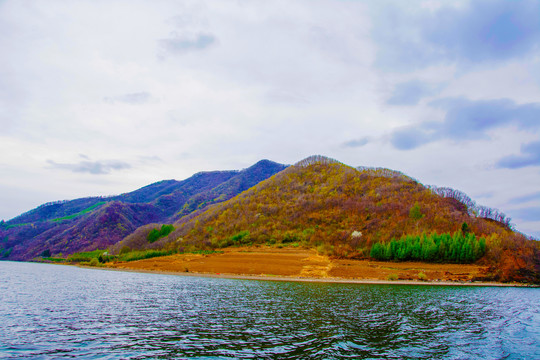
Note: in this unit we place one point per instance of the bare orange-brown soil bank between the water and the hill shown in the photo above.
(301, 264)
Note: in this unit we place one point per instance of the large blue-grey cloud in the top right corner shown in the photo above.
(480, 31)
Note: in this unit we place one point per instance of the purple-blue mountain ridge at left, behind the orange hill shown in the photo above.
(65, 227)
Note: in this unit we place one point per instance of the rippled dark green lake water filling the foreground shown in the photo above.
(49, 311)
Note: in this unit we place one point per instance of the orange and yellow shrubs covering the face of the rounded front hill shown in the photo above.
(323, 204)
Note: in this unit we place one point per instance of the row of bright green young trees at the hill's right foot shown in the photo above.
(458, 248)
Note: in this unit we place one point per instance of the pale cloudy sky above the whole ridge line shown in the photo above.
(104, 97)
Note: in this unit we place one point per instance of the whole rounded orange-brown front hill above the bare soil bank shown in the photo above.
(343, 212)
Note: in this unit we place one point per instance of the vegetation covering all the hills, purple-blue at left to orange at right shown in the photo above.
(319, 203)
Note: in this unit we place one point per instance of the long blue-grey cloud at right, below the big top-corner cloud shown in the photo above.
(469, 120)
